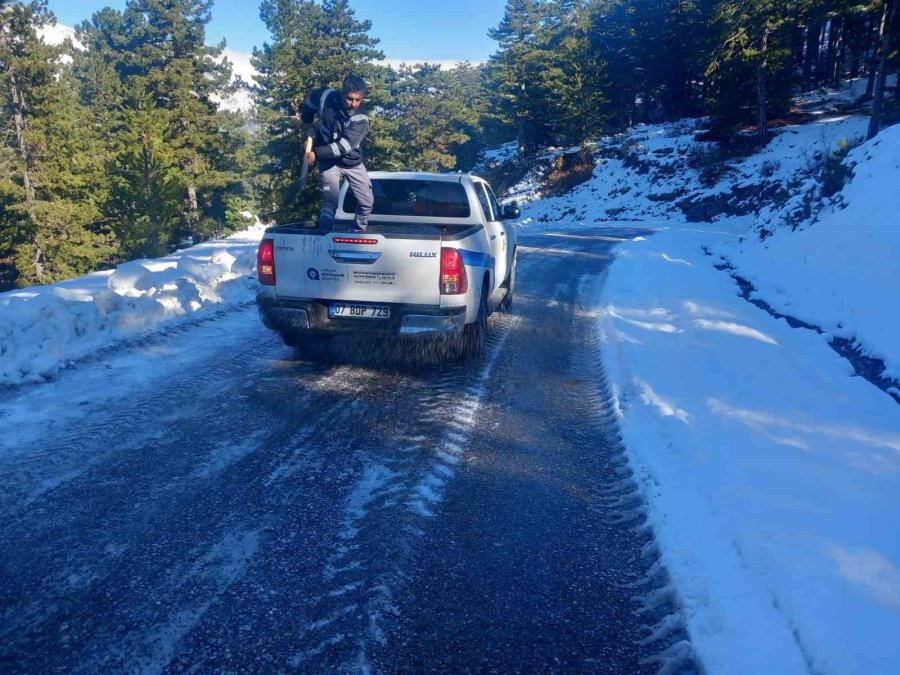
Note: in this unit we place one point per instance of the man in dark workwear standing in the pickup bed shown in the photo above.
(336, 148)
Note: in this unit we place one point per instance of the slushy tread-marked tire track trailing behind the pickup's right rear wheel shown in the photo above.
(381, 528)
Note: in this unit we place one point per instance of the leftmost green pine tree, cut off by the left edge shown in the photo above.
(49, 227)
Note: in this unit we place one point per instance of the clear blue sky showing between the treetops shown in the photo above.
(414, 30)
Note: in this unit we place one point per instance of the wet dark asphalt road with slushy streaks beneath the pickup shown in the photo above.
(212, 501)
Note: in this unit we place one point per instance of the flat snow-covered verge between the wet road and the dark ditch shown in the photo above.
(772, 474)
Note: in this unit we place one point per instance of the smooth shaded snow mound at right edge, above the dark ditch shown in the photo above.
(841, 273)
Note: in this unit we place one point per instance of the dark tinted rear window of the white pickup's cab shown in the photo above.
(441, 199)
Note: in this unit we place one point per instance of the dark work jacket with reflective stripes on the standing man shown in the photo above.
(338, 136)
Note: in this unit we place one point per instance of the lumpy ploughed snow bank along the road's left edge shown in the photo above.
(43, 328)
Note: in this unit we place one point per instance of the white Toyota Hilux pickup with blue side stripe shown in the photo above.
(438, 257)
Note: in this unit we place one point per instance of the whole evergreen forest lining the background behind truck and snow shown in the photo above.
(118, 147)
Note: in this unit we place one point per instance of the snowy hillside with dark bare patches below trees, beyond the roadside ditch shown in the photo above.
(832, 255)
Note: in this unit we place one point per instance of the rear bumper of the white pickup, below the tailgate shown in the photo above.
(296, 315)
